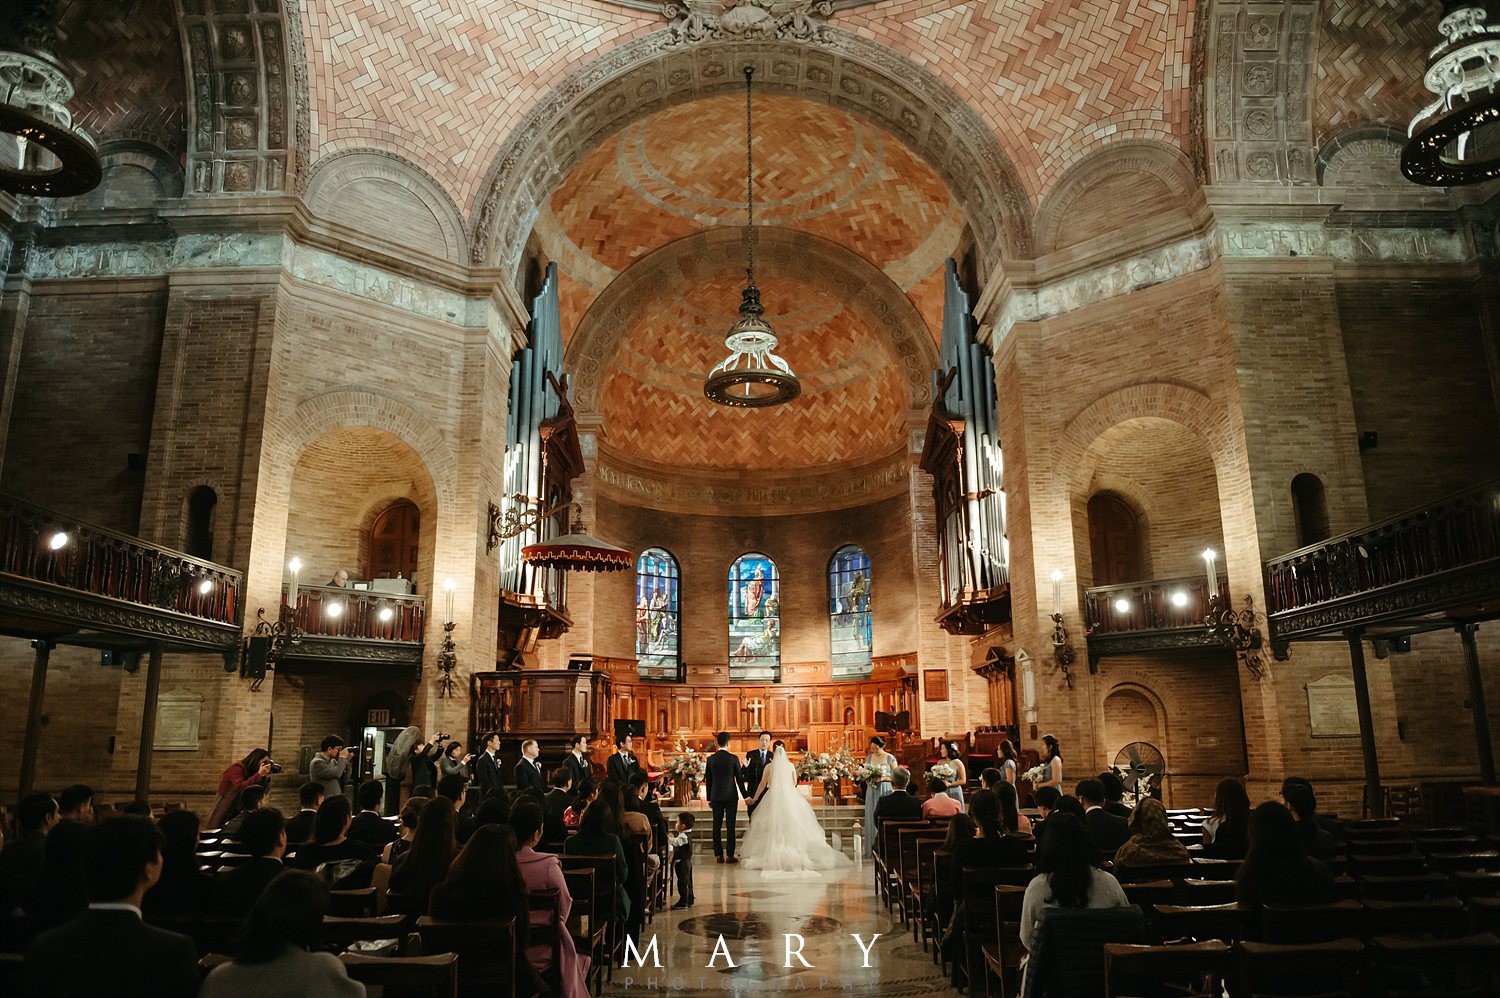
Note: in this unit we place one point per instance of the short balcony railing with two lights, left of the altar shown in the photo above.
(341, 624)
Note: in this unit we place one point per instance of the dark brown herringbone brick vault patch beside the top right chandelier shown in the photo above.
(1370, 64)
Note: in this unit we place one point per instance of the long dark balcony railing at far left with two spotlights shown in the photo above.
(68, 571)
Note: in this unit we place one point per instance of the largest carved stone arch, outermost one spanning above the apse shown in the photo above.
(845, 71)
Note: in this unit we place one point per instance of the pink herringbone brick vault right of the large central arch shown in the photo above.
(1057, 79)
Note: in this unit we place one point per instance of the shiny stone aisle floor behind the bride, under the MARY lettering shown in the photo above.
(755, 916)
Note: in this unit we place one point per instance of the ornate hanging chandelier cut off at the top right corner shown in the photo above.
(1456, 140)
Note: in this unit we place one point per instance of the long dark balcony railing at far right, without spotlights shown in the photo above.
(1421, 562)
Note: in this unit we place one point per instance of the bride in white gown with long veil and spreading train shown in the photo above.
(785, 840)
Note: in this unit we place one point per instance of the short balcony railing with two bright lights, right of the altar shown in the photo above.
(1151, 616)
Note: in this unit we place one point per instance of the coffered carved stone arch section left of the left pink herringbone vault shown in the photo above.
(248, 112)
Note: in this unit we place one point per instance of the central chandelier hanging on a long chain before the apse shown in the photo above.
(752, 376)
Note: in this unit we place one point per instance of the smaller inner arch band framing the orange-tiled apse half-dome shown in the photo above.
(901, 328)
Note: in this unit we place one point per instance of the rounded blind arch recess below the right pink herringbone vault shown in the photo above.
(1133, 179)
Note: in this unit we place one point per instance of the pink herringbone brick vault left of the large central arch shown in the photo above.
(445, 82)
